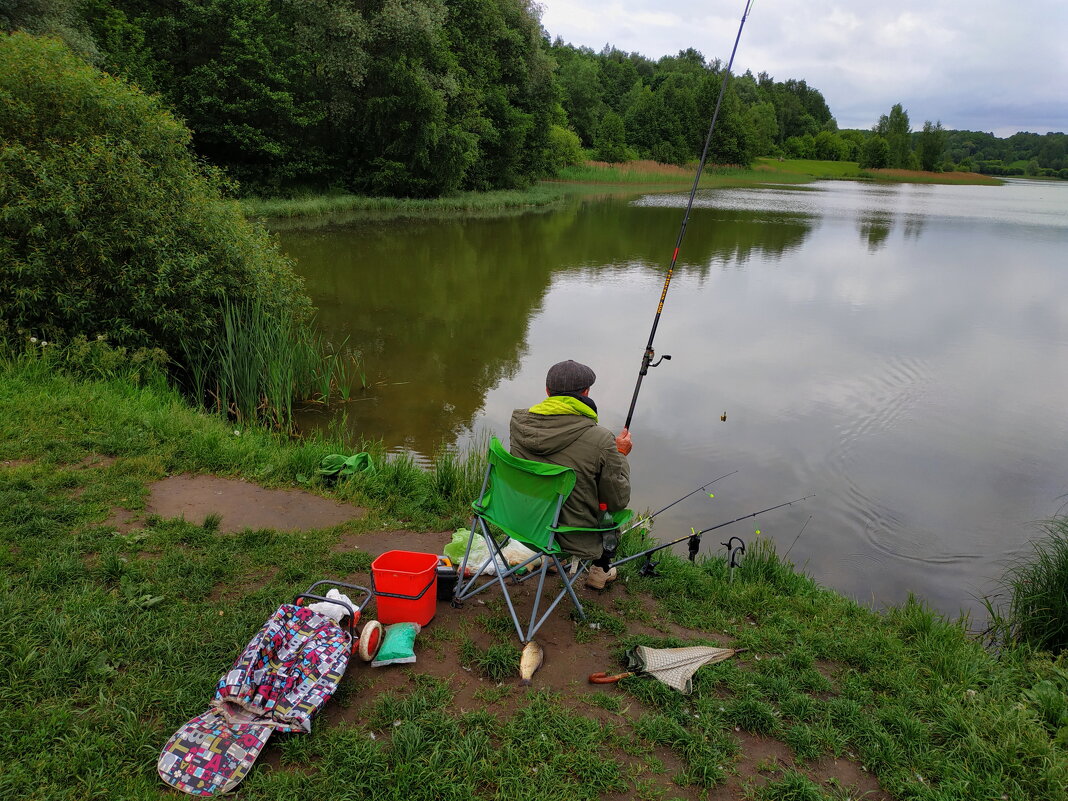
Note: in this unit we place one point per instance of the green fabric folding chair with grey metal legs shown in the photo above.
(524, 500)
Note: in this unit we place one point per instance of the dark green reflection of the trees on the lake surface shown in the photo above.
(441, 310)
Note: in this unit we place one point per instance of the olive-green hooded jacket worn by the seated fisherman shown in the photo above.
(564, 431)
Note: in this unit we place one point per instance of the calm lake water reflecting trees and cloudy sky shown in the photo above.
(898, 351)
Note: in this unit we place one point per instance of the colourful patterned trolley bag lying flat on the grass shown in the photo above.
(285, 676)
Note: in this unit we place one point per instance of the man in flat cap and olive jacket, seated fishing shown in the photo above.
(563, 430)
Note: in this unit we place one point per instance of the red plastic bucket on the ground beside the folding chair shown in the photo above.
(405, 587)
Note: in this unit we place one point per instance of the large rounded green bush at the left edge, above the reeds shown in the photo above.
(109, 226)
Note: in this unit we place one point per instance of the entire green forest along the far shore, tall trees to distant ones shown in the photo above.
(428, 98)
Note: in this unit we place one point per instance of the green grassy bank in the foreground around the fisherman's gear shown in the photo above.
(113, 640)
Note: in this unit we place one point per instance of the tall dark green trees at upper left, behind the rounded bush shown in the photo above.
(409, 98)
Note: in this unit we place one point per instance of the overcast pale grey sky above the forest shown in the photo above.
(972, 65)
